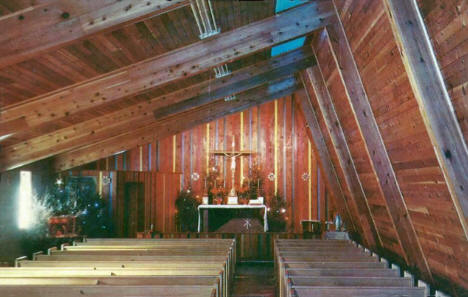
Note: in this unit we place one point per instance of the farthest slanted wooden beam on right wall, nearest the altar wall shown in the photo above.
(325, 159)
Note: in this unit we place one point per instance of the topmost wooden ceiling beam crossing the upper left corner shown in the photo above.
(51, 24)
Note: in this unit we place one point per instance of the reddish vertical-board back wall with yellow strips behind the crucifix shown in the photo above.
(276, 131)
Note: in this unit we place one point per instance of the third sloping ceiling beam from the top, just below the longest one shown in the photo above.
(31, 137)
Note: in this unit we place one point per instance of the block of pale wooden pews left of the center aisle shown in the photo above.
(194, 268)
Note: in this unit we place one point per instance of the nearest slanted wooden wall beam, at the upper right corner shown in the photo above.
(433, 99)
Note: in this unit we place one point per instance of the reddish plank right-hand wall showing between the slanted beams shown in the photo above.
(401, 125)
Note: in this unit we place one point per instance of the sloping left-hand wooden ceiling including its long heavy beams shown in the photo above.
(100, 70)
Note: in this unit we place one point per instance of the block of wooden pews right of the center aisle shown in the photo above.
(316, 268)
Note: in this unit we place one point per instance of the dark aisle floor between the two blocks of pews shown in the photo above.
(254, 280)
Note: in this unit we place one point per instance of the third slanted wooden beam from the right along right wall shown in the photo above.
(314, 83)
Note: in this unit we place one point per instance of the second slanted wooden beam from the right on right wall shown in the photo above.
(376, 150)
